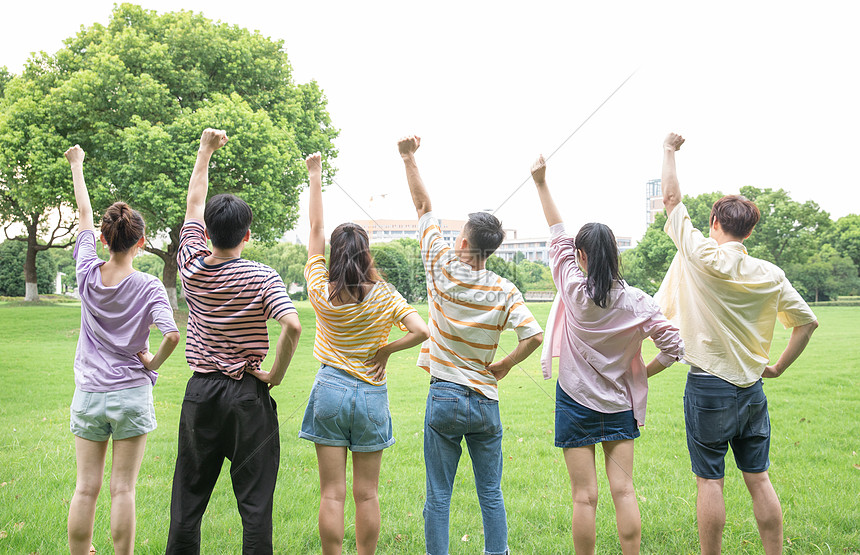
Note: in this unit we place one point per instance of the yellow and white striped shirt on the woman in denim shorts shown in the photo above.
(348, 335)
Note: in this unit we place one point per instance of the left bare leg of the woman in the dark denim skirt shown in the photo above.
(583, 482)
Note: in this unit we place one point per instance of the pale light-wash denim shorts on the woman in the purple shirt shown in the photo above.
(125, 413)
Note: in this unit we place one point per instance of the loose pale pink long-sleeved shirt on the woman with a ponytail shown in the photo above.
(600, 349)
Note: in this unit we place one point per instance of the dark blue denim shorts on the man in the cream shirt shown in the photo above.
(718, 414)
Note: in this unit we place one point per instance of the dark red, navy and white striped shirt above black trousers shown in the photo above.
(228, 305)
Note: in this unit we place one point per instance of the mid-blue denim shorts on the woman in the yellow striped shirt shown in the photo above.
(344, 411)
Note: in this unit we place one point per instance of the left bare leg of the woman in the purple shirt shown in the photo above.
(90, 456)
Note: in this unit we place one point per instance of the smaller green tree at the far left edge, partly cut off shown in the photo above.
(35, 189)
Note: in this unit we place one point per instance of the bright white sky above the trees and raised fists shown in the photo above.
(764, 93)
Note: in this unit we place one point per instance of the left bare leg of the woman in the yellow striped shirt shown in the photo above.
(332, 467)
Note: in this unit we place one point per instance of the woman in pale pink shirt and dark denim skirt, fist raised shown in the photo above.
(596, 327)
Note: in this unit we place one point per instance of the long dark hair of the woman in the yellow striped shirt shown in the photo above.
(350, 264)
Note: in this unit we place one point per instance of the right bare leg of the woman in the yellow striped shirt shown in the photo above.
(365, 491)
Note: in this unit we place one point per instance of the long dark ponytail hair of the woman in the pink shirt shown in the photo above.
(598, 243)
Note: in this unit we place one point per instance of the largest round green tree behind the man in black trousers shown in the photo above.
(136, 94)
